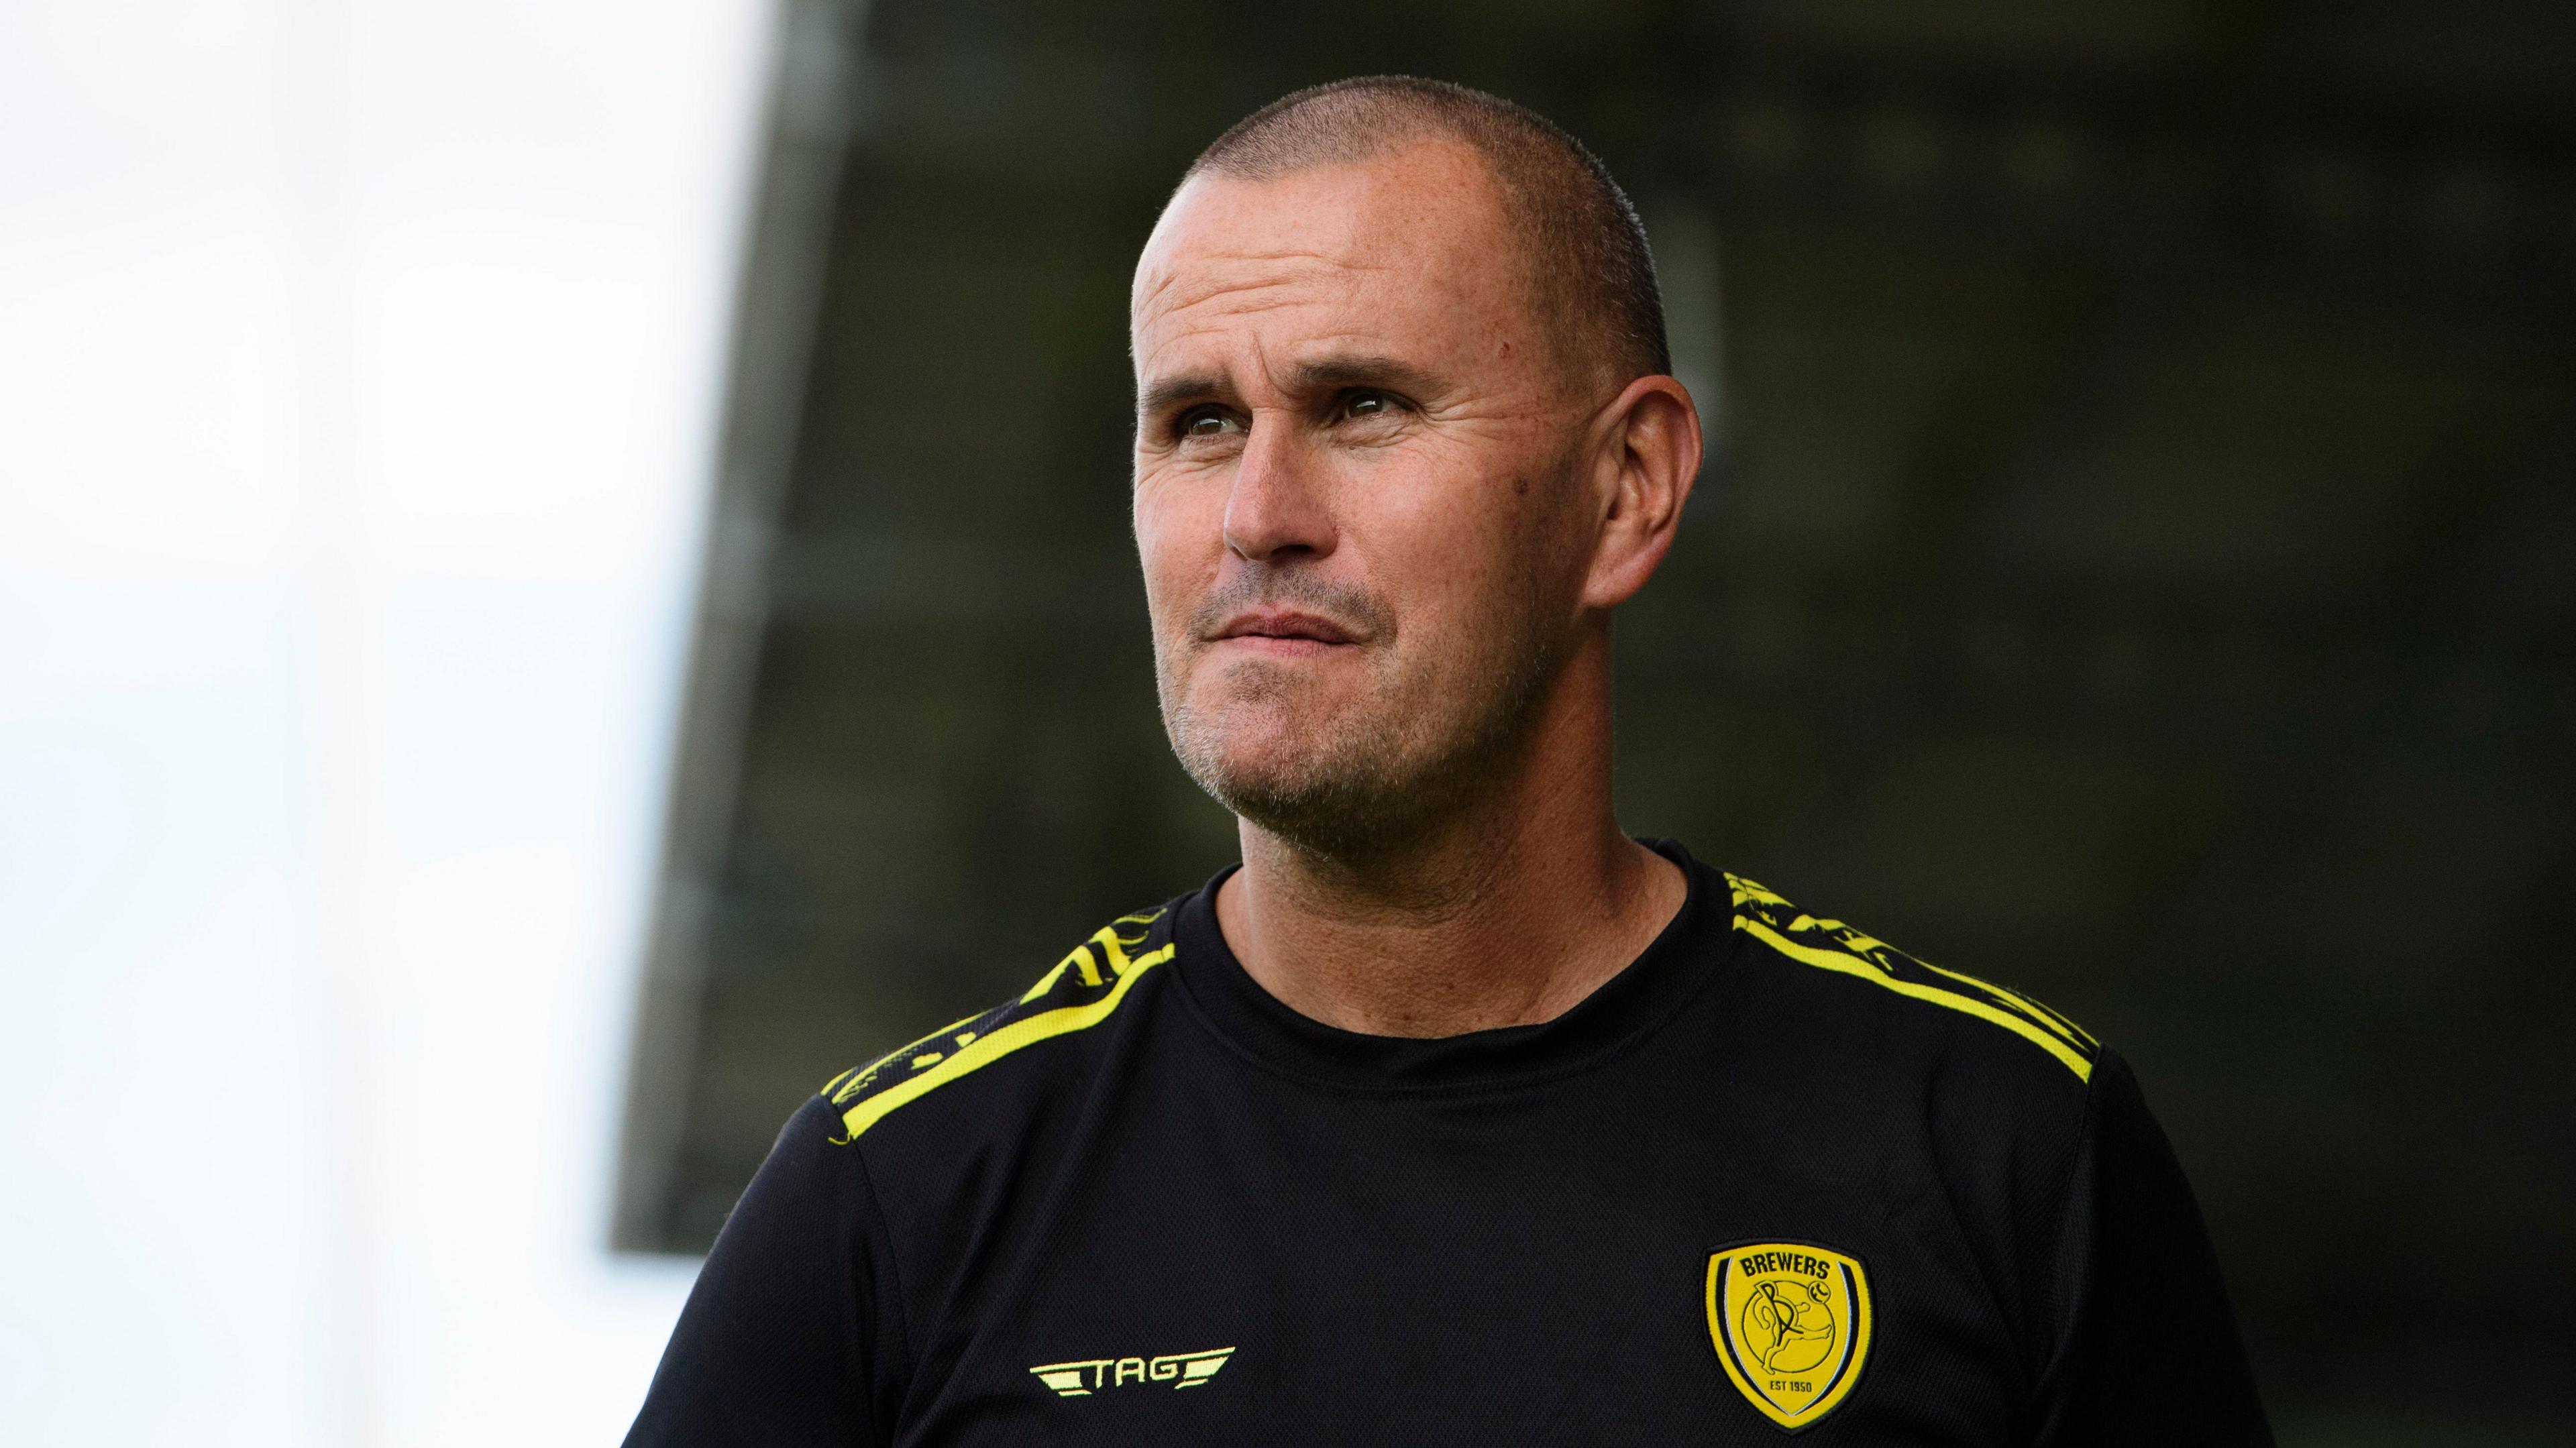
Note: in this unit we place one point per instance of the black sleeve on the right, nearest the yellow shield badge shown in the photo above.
(2147, 1346)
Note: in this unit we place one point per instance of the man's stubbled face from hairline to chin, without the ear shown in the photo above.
(1354, 506)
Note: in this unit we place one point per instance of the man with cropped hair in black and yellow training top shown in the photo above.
(1454, 1114)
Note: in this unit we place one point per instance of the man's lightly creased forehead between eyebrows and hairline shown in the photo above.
(1397, 251)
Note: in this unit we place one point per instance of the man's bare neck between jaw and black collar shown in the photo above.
(1501, 913)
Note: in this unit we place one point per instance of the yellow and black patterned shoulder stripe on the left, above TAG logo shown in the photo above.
(1083, 991)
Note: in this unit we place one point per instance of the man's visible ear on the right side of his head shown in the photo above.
(1647, 457)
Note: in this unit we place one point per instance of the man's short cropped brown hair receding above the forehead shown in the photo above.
(1580, 238)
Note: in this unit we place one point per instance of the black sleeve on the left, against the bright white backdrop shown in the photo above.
(779, 1341)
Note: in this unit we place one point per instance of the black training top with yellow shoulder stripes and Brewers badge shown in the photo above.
(1774, 1179)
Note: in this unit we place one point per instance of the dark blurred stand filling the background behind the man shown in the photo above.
(2134, 568)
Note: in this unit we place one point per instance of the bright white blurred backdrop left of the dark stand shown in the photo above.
(359, 365)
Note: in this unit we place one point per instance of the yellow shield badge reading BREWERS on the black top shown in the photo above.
(1792, 1323)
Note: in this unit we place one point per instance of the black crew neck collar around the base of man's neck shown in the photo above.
(1640, 998)
